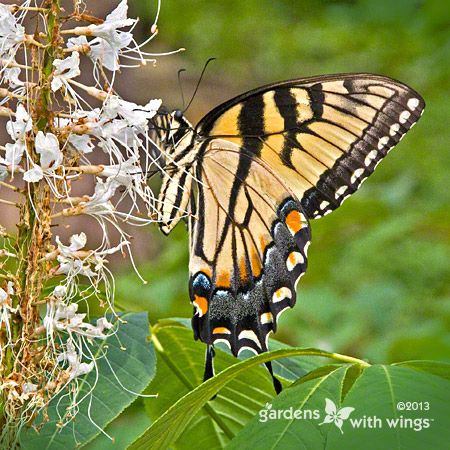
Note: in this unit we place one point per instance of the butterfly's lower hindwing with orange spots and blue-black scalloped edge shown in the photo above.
(247, 251)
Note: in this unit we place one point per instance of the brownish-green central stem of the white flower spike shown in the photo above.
(33, 236)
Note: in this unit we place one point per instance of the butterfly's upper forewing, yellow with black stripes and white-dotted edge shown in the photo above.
(324, 135)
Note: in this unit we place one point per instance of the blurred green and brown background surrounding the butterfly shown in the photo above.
(378, 277)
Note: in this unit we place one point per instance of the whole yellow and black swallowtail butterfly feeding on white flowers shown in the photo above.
(251, 175)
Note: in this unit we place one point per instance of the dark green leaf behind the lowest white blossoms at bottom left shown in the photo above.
(131, 356)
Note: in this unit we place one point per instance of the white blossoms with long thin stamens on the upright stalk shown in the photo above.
(67, 150)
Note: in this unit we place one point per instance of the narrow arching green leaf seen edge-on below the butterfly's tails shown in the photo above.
(166, 430)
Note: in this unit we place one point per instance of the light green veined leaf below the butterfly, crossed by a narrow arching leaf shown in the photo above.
(180, 370)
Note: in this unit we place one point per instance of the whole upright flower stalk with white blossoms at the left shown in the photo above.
(47, 281)
